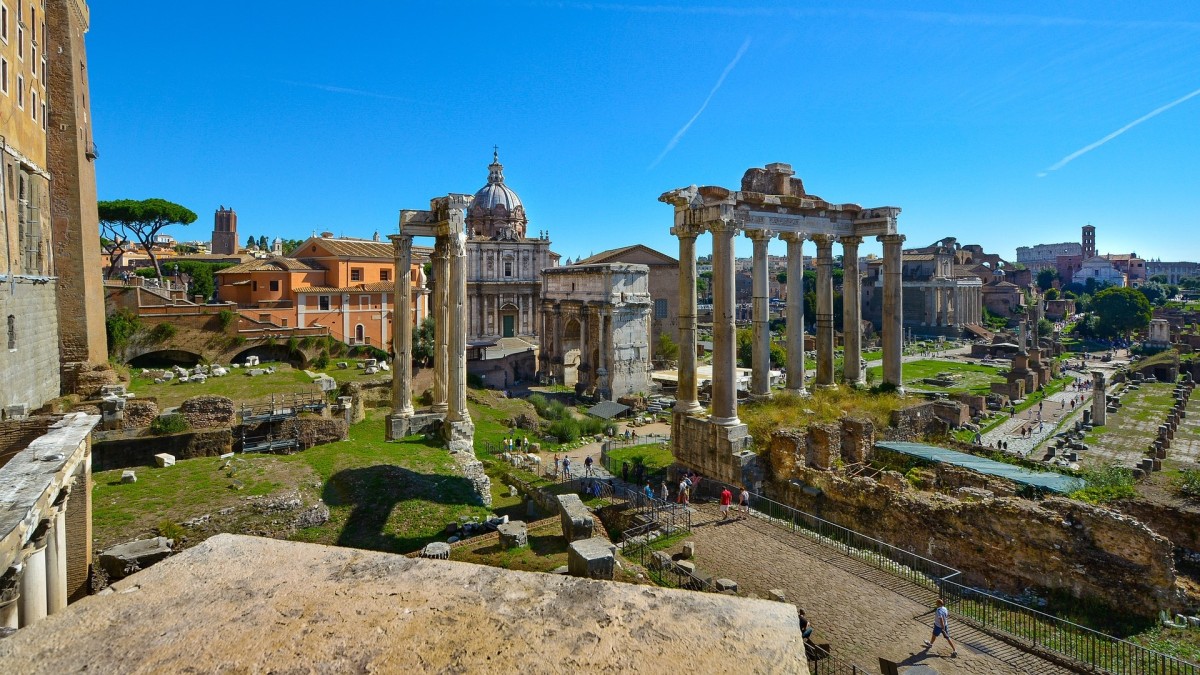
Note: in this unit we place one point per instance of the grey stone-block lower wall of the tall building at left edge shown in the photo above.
(32, 369)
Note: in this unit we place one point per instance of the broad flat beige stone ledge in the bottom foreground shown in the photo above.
(307, 607)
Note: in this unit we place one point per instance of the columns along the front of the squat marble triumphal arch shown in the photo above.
(554, 319)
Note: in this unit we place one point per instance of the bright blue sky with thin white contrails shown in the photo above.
(976, 120)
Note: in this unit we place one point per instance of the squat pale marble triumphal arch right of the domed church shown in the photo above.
(597, 328)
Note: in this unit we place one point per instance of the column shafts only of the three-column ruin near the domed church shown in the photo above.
(449, 312)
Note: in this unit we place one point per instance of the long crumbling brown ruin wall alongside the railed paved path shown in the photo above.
(1006, 543)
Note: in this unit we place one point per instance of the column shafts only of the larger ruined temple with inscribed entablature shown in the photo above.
(724, 307)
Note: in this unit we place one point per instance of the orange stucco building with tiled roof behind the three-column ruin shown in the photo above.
(344, 285)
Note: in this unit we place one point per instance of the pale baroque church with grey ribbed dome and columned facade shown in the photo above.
(503, 264)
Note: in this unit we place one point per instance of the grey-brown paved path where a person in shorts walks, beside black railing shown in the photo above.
(862, 612)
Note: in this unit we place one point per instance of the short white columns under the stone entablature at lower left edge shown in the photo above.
(40, 589)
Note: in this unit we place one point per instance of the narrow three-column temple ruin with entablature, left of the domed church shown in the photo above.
(446, 223)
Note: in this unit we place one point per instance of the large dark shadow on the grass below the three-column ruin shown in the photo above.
(374, 492)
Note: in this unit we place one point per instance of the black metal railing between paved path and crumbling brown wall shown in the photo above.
(1013, 623)
